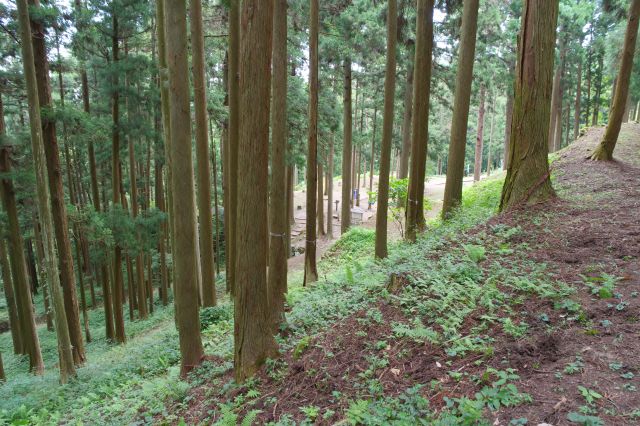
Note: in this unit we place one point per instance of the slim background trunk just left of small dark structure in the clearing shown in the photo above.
(345, 215)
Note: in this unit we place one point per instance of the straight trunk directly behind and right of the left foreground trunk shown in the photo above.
(202, 156)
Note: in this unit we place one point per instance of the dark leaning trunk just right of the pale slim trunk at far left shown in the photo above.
(56, 191)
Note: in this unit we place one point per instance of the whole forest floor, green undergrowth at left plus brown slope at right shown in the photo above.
(522, 318)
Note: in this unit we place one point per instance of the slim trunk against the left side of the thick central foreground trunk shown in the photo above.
(231, 213)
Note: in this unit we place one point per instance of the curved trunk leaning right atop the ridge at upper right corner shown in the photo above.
(604, 151)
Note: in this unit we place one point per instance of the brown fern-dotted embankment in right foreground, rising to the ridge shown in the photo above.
(530, 317)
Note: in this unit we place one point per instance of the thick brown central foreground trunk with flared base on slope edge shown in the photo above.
(253, 339)
